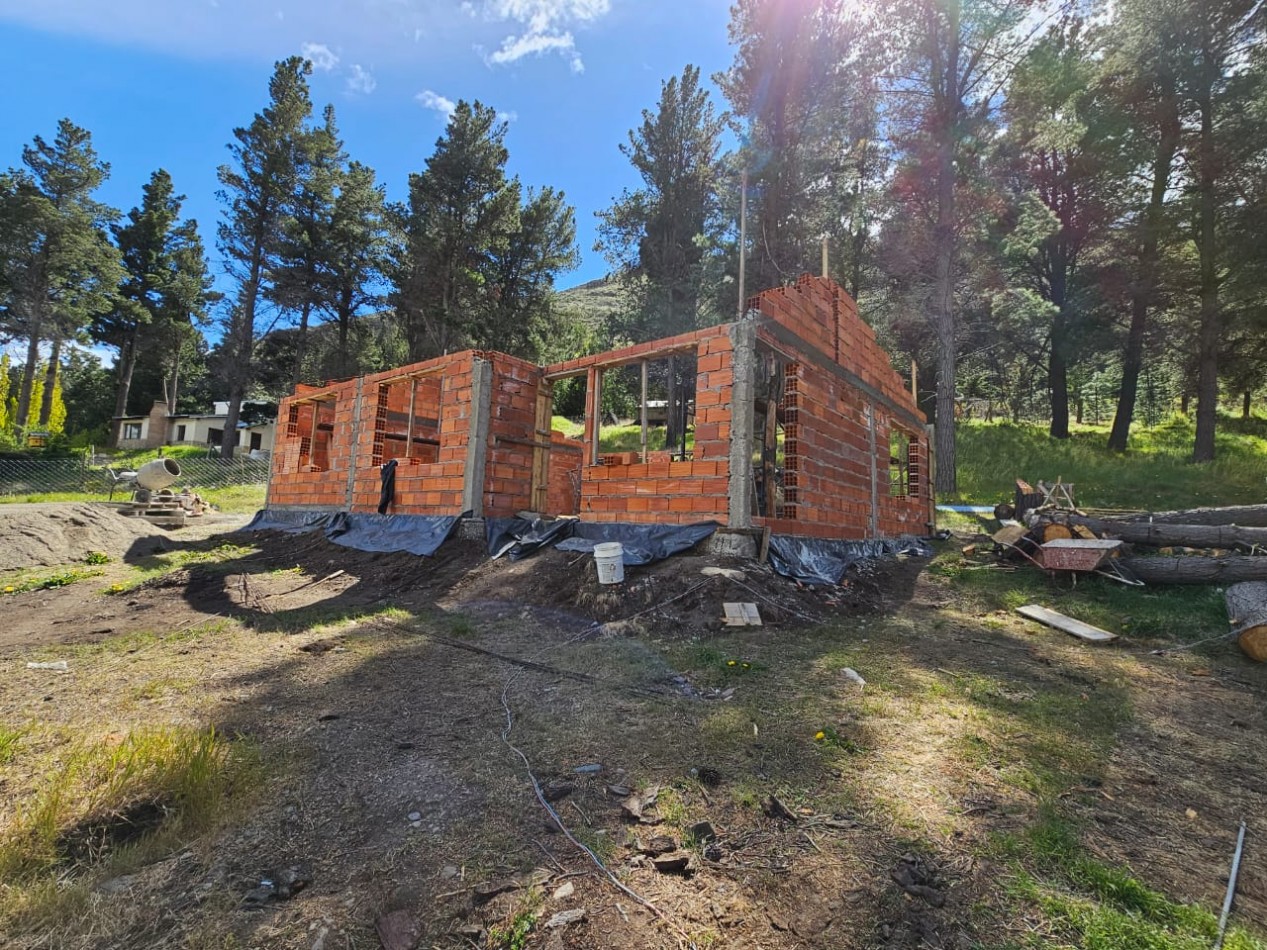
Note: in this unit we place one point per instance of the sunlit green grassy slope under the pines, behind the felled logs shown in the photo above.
(1156, 473)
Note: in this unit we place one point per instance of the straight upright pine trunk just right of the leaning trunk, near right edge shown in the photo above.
(1208, 346)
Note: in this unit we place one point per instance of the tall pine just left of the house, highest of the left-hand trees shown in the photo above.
(258, 189)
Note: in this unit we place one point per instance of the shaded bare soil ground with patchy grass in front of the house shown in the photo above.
(388, 695)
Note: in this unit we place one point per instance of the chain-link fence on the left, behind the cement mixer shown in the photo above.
(34, 477)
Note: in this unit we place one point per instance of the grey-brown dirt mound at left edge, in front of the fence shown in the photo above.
(48, 535)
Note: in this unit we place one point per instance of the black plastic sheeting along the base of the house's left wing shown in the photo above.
(385, 534)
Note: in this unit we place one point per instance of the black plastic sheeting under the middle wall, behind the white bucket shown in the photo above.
(640, 544)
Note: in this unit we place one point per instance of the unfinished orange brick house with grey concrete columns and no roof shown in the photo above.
(800, 424)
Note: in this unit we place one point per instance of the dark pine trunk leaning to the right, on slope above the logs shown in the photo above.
(1145, 288)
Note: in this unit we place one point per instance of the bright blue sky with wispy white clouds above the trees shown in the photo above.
(163, 83)
